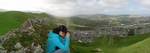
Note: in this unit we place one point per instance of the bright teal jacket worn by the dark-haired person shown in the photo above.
(54, 40)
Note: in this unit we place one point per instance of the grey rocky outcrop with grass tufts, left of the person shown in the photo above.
(29, 38)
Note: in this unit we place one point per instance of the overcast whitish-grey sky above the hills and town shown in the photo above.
(77, 7)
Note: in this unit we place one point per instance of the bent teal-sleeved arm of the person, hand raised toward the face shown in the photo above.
(60, 45)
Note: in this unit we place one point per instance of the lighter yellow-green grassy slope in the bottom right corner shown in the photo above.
(140, 47)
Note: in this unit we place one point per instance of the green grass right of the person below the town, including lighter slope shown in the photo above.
(131, 44)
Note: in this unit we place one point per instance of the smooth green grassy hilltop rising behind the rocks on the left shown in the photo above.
(13, 19)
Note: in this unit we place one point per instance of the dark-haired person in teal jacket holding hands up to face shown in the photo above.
(59, 40)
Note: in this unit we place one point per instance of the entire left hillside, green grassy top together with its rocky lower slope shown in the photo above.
(25, 28)
